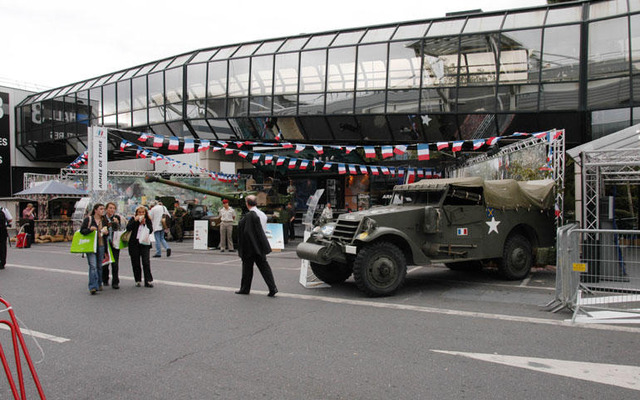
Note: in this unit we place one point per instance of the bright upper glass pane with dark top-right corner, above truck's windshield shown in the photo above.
(404, 65)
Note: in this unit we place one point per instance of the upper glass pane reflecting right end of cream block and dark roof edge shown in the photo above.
(520, 56)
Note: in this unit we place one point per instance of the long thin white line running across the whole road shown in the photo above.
(374, 304)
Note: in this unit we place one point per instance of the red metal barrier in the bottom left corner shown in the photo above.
(18, 343)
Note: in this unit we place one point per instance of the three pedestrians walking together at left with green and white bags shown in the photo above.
(107, 222)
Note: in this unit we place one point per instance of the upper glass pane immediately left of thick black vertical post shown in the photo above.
(561, 58)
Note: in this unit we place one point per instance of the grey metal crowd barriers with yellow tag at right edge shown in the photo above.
(598, 274)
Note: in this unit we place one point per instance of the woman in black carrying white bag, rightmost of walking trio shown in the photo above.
(140, 227)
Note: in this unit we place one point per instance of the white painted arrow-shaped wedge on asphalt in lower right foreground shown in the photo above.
(626, 376)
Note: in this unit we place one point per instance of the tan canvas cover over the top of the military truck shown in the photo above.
(503, 194)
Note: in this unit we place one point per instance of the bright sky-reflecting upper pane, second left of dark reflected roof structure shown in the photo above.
(372, 67)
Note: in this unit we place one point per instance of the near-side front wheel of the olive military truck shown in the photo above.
(379, 269)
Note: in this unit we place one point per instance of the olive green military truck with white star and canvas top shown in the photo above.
(461, 222)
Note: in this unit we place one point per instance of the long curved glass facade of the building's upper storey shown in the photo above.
(574, 66)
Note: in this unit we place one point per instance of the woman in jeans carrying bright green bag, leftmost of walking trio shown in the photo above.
(96, 221)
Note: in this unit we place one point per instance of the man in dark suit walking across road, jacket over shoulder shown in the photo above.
(253, 247)
